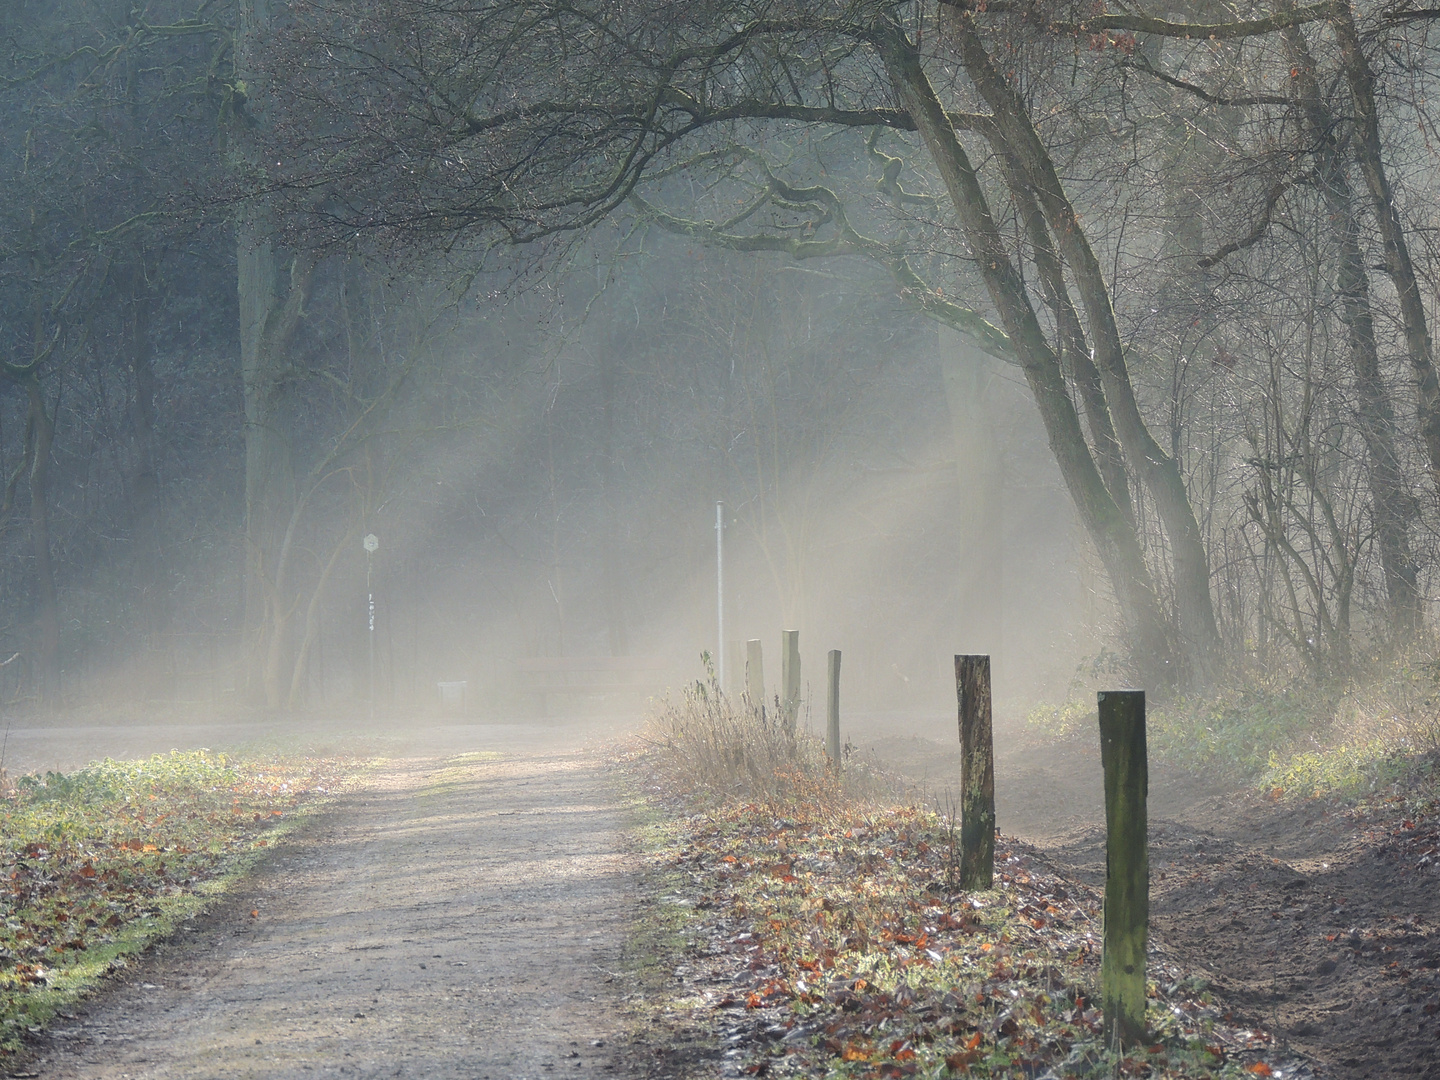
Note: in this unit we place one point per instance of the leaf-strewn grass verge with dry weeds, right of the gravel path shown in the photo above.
(824, 934)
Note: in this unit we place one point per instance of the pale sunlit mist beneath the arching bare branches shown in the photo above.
(544, 485)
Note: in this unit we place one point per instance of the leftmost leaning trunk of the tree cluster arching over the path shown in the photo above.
(1114, 538)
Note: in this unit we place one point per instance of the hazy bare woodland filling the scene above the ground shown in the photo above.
(330, 387)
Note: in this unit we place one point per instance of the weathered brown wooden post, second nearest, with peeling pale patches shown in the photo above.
(977, 774)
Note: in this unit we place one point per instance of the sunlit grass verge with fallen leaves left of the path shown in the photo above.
(99, 865)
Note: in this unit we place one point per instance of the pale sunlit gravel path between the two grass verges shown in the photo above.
(457, 918)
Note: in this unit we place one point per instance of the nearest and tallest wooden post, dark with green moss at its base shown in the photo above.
(1127, 866)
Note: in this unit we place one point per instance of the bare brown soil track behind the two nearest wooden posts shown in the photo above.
(1314, 922)
